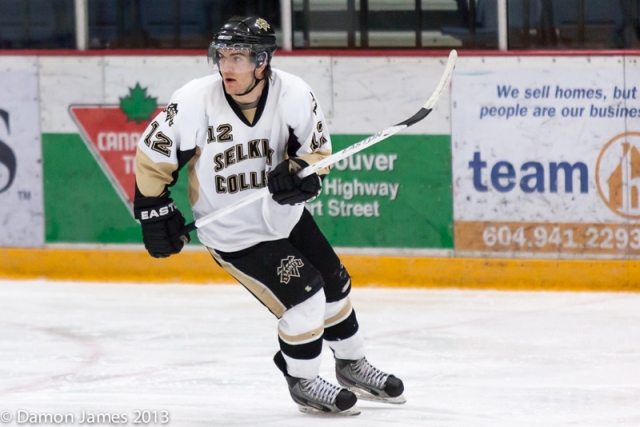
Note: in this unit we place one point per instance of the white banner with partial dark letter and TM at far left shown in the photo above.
(21, 208)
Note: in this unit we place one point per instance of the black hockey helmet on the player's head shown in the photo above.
(251, 33)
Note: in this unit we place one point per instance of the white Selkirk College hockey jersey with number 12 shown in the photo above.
(228, 156)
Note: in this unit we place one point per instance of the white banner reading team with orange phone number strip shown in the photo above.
(546, 156)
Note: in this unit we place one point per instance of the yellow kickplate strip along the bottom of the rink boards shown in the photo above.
(199, 267)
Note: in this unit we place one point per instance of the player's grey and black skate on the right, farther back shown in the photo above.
(368, 382)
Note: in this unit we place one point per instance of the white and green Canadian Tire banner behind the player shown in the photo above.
(394, 195)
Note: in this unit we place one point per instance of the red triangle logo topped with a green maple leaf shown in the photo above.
(111, 132)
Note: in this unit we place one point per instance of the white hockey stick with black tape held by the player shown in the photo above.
(343, 154)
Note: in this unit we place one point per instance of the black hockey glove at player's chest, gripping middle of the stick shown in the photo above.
(287, 188)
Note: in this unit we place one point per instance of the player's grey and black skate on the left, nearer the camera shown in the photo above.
(318, 396)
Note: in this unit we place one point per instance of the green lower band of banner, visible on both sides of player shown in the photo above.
(396, 194)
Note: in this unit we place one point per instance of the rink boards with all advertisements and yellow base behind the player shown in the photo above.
(544, 192)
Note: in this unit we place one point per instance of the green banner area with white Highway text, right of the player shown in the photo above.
(390, 195)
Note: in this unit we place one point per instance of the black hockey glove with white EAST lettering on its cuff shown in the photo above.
(162, 225)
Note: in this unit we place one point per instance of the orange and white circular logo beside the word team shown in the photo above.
(618, 175)
